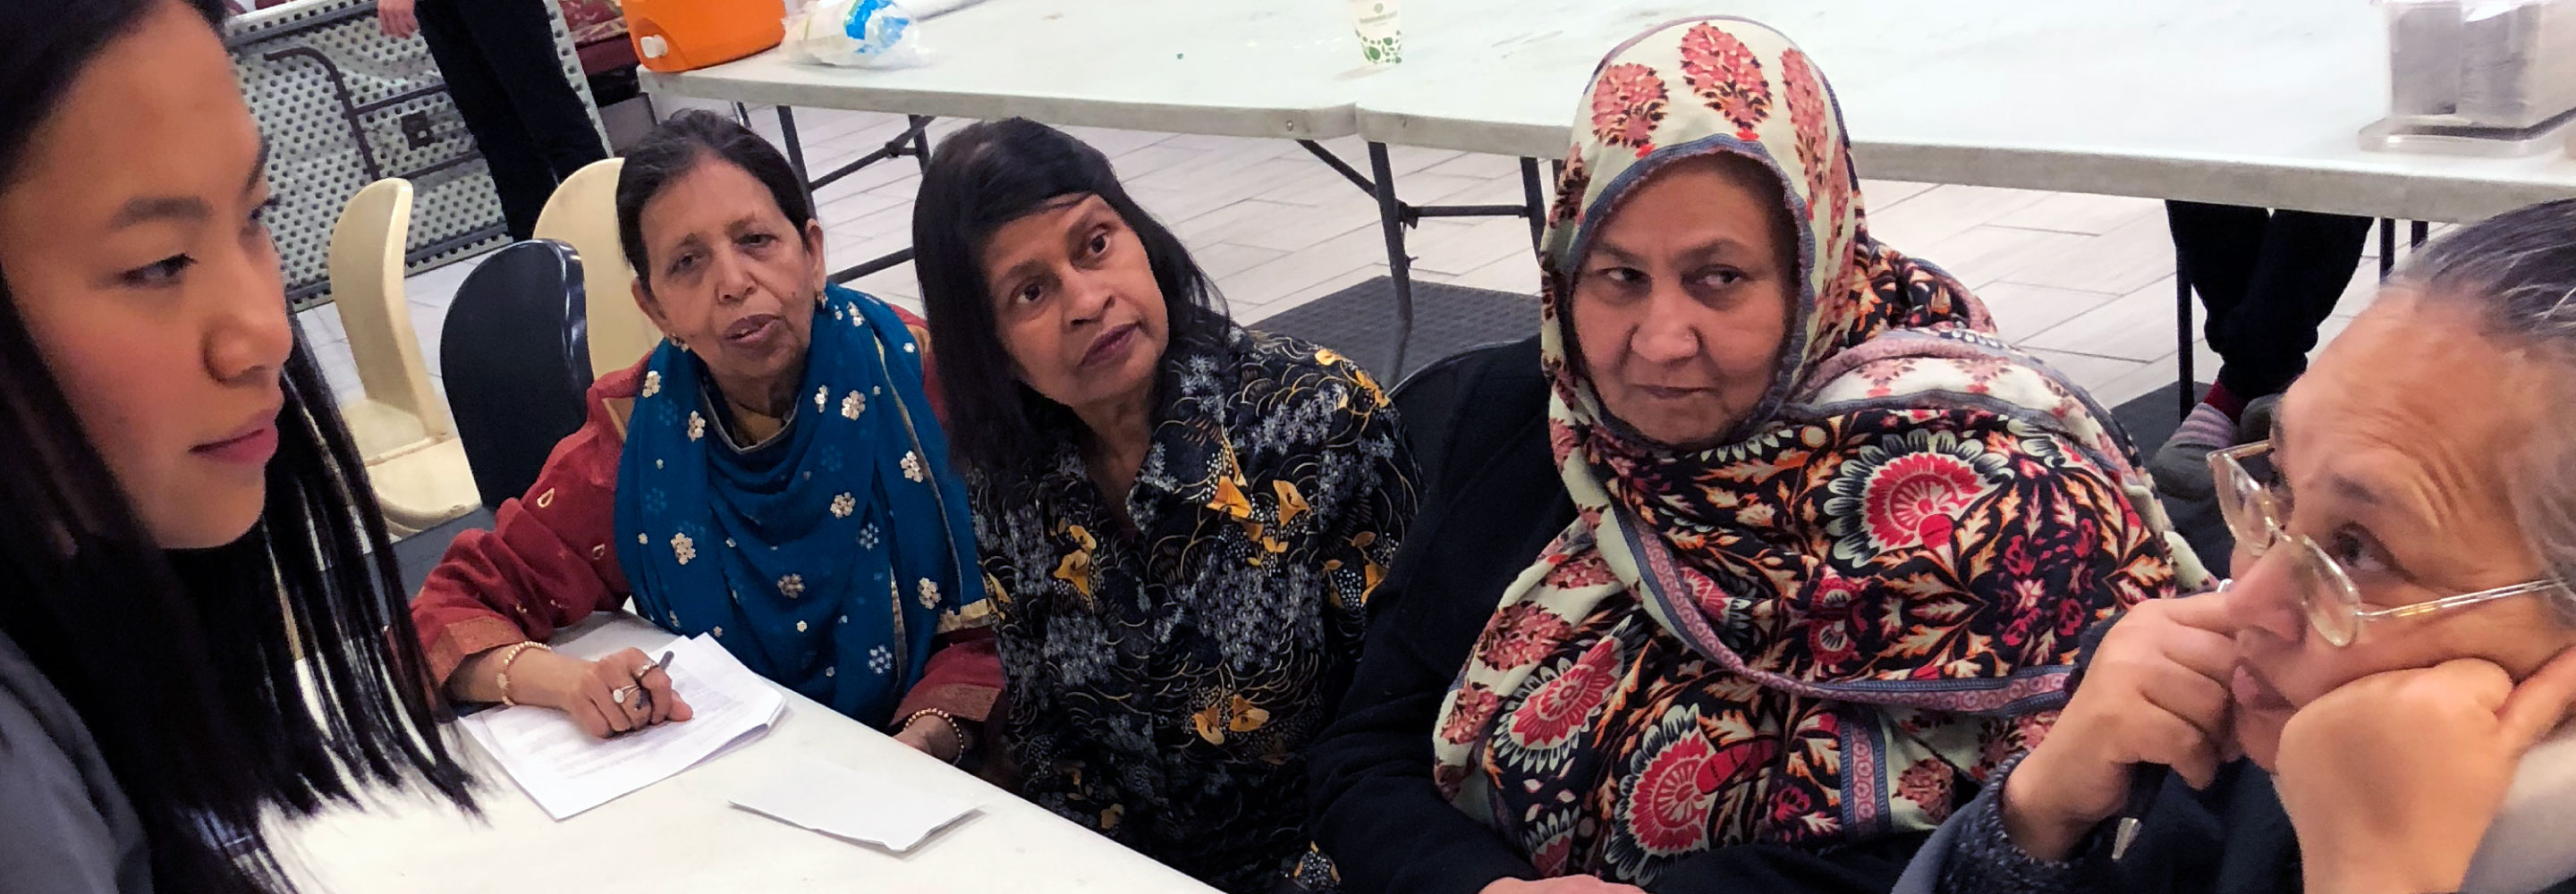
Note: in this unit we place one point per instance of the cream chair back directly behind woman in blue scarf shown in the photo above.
(583, 213)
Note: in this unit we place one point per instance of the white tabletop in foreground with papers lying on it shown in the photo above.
(684, 836)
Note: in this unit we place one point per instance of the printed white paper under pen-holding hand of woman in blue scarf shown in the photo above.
(571, 772)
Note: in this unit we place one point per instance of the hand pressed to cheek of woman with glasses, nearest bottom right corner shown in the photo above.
(2394, 779)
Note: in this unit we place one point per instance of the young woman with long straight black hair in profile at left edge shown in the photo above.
(200, 617)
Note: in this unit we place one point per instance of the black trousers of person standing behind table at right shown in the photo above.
(2268, 280)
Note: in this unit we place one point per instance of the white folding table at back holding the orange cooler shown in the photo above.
(1220, 68)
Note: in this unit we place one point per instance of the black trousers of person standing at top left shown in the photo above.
(509, 84)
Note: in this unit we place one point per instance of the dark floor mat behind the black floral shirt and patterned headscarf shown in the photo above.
(1361, 323)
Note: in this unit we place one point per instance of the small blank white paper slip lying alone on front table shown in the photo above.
(867, 808)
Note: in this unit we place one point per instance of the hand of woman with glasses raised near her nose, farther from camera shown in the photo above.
(2157, 692)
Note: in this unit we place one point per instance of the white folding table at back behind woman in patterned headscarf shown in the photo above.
(2253, 102)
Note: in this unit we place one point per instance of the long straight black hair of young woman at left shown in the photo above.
(277, 671)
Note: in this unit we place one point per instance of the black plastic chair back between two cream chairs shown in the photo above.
(516, 359)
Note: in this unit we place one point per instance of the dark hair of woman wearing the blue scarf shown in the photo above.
(676, 148)
